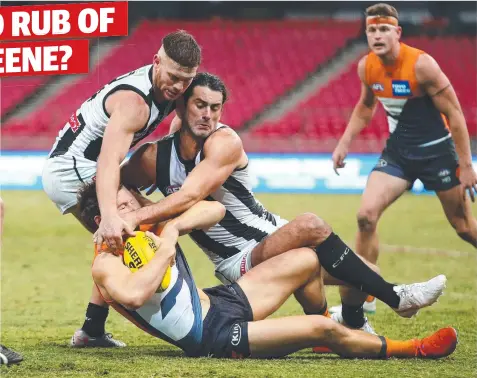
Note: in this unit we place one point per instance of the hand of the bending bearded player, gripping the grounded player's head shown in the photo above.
(111, 230)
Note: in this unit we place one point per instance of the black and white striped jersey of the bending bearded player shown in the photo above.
(82, 136)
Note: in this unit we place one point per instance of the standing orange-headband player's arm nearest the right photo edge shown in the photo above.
(436, 84)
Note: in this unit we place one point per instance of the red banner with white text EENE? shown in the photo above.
(44, 58)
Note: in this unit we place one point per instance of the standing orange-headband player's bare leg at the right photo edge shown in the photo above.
(459, 213)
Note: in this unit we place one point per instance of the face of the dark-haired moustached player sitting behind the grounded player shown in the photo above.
(203, 112)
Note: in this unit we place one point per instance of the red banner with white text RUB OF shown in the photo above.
(59, 21)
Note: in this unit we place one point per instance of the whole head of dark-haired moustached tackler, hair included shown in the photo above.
(203, 104)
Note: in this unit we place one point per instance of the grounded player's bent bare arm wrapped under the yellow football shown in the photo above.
(133, 290)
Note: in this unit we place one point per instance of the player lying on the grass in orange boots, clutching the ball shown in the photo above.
(229, 321)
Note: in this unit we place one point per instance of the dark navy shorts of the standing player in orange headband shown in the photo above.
(436, 166)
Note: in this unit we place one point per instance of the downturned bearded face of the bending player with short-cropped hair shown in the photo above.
(172, 79)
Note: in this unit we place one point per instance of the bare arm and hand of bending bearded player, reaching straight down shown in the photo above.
(128, 114)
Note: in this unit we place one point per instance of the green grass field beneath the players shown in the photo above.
(46, 284)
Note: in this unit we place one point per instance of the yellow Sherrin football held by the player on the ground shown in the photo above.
(138, 251)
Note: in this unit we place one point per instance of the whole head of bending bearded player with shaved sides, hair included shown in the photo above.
(175, 64)
